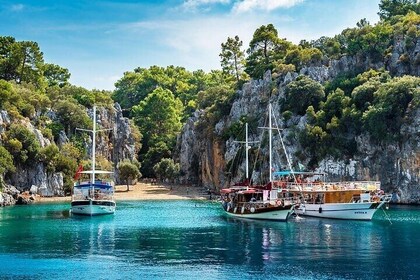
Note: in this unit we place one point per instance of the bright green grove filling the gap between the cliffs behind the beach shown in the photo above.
(161, 99)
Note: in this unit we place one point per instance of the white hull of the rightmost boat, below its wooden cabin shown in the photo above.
(345, 211)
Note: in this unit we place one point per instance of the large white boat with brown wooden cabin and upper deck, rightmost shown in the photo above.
(355, 200)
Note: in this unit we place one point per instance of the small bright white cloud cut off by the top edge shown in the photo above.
(266, 5)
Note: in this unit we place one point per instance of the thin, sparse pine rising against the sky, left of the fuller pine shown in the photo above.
(232, 57)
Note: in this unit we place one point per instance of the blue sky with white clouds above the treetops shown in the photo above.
(100, 40)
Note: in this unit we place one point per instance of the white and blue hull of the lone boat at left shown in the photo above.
(93, 207)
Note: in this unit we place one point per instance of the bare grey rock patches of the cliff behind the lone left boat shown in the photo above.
(114, 145)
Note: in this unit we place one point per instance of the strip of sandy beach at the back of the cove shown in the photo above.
(145, 191)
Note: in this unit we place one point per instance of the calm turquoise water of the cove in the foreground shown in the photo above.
(194, 240)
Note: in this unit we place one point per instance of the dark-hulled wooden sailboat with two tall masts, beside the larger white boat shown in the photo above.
(260, 202)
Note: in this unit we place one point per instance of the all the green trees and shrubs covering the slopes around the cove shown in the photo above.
(38, 96)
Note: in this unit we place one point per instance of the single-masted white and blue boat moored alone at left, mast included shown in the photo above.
(93, 197)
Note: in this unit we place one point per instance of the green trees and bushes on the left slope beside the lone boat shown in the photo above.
(40, 103)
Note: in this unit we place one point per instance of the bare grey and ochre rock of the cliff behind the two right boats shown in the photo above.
(204, 157)
